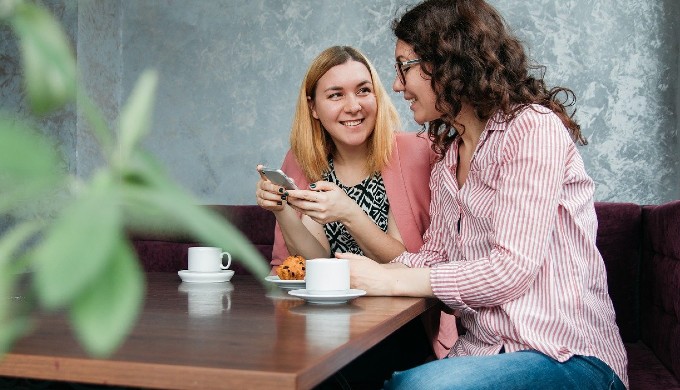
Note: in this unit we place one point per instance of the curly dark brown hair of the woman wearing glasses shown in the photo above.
(472, 57)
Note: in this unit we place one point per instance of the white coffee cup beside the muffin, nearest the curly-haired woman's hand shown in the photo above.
(327, 276)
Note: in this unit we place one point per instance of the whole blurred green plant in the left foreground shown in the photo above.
(77, 256)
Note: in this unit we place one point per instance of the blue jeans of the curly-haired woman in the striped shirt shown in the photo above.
(518, 370)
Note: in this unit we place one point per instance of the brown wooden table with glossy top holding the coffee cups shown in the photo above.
(238, 334)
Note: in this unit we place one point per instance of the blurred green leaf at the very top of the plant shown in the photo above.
(49, 65)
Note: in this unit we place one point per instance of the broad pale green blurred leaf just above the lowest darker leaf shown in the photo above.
(78, 245)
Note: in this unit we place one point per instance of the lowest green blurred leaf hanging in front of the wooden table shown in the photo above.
(106, 310)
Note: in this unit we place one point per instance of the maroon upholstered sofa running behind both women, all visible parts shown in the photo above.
(641, 250)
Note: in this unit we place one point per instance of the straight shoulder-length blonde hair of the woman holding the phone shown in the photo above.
(310, 142)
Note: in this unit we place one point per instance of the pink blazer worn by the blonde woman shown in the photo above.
(407, 182)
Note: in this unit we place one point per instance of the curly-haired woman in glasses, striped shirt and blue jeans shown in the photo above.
(511, 244)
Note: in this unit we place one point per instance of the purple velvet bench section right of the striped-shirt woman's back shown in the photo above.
(640, 246)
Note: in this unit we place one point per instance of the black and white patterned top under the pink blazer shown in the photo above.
(371, 196)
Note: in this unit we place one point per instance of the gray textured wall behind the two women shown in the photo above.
(230, 71)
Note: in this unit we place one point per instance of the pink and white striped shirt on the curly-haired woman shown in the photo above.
(513, 250)
